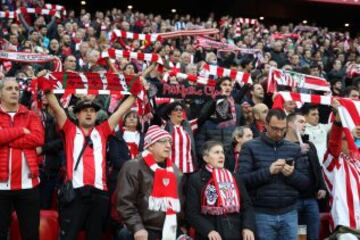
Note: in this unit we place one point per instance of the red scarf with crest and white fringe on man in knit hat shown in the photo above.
(164, 196)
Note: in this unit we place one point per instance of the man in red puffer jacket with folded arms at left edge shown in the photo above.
(21, 132)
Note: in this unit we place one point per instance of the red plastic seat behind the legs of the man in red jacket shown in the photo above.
(49, 226)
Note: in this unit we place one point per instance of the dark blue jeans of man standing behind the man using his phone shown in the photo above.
(308, 212)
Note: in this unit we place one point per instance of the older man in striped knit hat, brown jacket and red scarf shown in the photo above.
(148, 189)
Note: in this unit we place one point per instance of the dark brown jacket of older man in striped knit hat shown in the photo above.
(134, 188)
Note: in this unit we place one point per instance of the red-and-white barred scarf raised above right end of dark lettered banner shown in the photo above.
(240, 77)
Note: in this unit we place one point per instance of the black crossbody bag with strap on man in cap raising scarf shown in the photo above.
(67, 192)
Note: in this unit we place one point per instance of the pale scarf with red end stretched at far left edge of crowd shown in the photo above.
(24, 57)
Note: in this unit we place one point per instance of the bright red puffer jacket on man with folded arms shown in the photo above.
(12, 136)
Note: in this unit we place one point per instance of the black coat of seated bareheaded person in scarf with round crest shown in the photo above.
(229, 226)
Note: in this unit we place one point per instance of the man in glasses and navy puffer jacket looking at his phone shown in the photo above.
(269, 168)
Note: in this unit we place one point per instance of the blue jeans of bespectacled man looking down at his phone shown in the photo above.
(276, 227)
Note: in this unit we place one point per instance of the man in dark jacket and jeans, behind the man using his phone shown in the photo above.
(308, 209)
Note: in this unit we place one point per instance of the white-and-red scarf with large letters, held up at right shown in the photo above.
(293, 79)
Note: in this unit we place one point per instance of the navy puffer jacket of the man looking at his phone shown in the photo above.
(272, 194)
